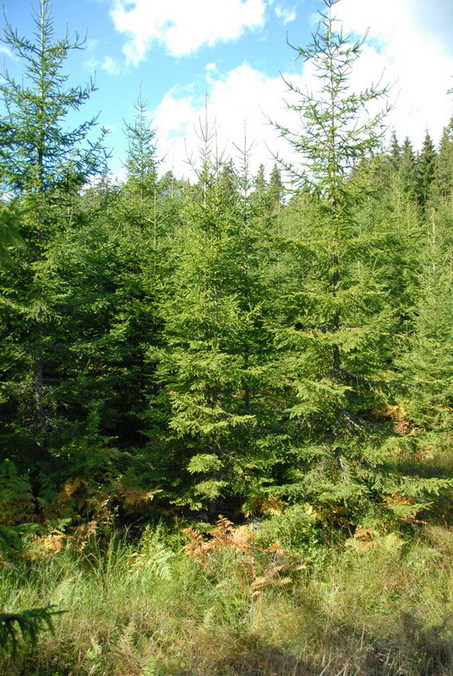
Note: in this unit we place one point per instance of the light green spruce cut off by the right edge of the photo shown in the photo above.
(427, 362)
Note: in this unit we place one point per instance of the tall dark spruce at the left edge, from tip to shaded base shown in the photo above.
(43, 165)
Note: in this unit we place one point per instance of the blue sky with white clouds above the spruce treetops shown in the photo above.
(223, 60)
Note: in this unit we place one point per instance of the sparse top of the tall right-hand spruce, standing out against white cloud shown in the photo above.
(335, 131)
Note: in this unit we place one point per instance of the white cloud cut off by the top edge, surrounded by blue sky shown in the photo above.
(182, 26)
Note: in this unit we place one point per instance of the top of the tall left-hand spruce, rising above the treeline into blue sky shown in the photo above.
(42, 155)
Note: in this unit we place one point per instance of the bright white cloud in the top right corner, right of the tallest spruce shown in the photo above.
(410, 44)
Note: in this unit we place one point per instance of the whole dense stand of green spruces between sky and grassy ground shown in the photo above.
(276, 344)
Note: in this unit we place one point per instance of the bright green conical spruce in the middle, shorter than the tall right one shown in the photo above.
(210, 424)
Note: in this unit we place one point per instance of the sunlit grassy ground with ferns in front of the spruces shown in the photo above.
(233, 605)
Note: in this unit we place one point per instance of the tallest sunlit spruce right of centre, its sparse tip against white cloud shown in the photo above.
(335, 338)
